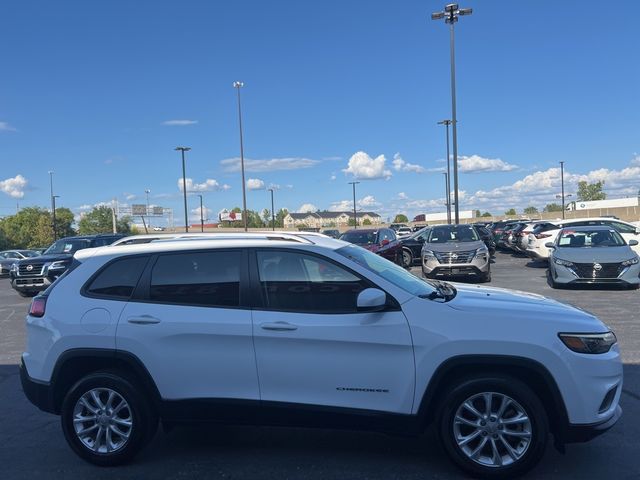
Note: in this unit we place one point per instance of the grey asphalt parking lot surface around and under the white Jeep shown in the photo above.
(32, 444)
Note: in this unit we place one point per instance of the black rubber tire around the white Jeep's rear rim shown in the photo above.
(144, 419)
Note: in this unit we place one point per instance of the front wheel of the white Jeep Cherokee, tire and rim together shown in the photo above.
(493, 426)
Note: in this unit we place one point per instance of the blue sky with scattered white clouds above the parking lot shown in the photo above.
(88, 89)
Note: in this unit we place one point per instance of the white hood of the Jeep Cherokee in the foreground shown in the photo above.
(473, 298)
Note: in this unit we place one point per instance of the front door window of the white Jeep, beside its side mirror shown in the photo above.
(292, 281)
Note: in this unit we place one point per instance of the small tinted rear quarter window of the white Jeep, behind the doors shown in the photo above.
(118, 279)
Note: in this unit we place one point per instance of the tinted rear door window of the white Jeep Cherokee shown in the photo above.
(209, 279)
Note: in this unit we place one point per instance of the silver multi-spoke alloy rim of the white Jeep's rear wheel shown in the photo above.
(103, 420)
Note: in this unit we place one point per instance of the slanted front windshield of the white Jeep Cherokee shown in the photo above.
(387, 270)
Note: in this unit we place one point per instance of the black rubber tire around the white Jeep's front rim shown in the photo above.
(524, 398)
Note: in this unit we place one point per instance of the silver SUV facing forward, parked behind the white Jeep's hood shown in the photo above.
(455, 251)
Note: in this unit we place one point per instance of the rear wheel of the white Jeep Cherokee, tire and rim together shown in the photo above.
(106, 420)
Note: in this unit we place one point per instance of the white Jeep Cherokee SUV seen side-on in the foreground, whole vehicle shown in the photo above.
(297, 329)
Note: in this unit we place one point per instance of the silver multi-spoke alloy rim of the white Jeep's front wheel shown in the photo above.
(492, 429)
